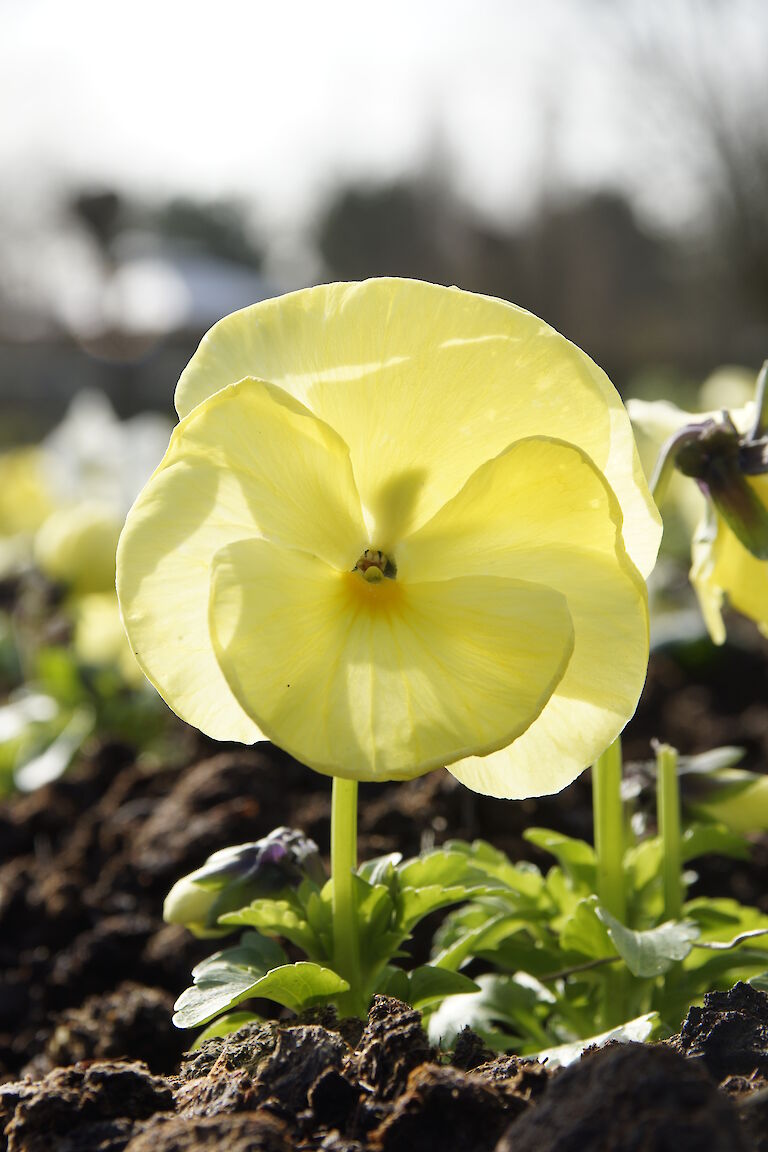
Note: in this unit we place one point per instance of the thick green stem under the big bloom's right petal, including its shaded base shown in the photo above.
(609, 815)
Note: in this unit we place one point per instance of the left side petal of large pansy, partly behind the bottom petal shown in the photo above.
(250, 461)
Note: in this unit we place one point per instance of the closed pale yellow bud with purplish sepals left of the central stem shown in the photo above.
(234, 877)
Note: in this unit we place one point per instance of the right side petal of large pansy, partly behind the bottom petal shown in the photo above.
(543, 511)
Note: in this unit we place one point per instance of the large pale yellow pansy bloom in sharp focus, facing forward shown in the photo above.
(398, 527)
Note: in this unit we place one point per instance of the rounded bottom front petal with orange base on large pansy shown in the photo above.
(383, 681)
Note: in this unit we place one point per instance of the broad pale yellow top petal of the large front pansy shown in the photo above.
(425, 384)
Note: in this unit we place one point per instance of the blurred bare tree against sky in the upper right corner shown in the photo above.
(709, 120)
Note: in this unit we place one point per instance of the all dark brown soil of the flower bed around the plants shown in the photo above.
(89, 972)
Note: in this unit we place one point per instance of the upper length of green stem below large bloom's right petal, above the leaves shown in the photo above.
(609, 813)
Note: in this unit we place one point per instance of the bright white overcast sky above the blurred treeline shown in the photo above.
(280, 101)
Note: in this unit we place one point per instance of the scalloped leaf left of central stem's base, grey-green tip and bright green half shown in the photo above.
(295, 987)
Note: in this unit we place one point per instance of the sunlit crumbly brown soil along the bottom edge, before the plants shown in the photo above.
(322, 1087)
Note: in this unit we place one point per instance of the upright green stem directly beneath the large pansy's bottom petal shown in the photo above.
(344, 865)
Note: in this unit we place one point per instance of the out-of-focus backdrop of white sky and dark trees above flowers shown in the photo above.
(162, 164)
